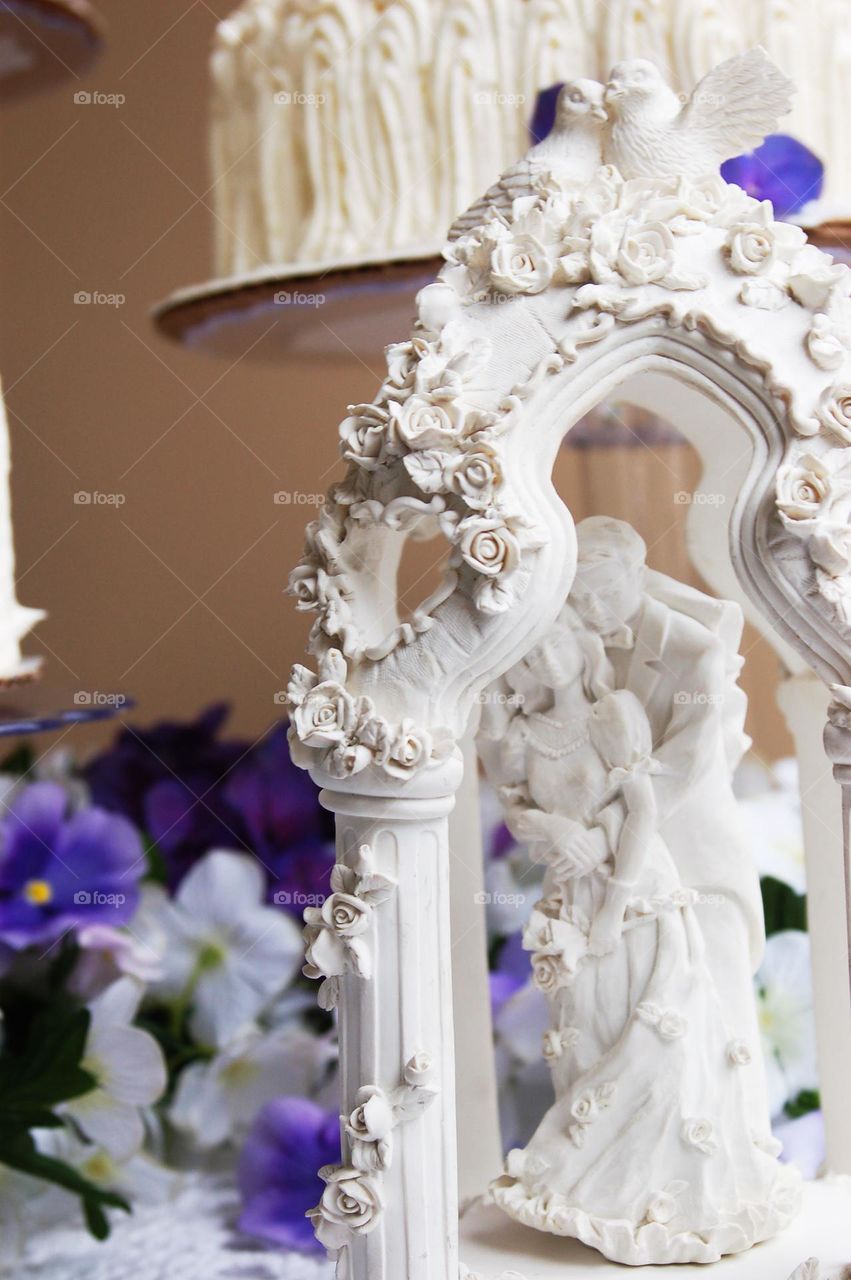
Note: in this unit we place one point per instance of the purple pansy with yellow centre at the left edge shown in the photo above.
(58, 872)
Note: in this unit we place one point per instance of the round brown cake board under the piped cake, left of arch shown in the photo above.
(319, 312)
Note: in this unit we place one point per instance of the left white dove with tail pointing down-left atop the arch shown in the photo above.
(573, 152)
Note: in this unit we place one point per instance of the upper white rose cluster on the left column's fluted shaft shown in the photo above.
(336, 932)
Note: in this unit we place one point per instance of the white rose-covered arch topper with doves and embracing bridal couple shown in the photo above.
(617, 767)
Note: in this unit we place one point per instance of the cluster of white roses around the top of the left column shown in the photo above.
(344, 734)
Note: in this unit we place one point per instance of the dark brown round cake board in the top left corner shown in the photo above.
(43, 43)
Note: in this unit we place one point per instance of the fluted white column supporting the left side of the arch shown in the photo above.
(404, 1012)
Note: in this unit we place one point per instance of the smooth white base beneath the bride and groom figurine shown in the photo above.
(493, 1246)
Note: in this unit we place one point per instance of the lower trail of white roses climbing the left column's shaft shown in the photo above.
(353, 1203)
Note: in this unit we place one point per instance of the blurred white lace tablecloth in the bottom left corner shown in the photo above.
(189, 1238)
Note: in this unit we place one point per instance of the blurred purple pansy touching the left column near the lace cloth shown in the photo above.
(278, 1174)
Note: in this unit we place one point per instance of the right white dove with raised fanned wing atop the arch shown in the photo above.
(652, 135)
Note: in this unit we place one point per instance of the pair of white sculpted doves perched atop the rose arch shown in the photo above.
(640, 126)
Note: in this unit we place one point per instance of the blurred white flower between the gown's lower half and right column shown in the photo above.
(785, 1007)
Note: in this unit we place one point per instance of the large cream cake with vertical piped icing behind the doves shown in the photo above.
(355, 131)
